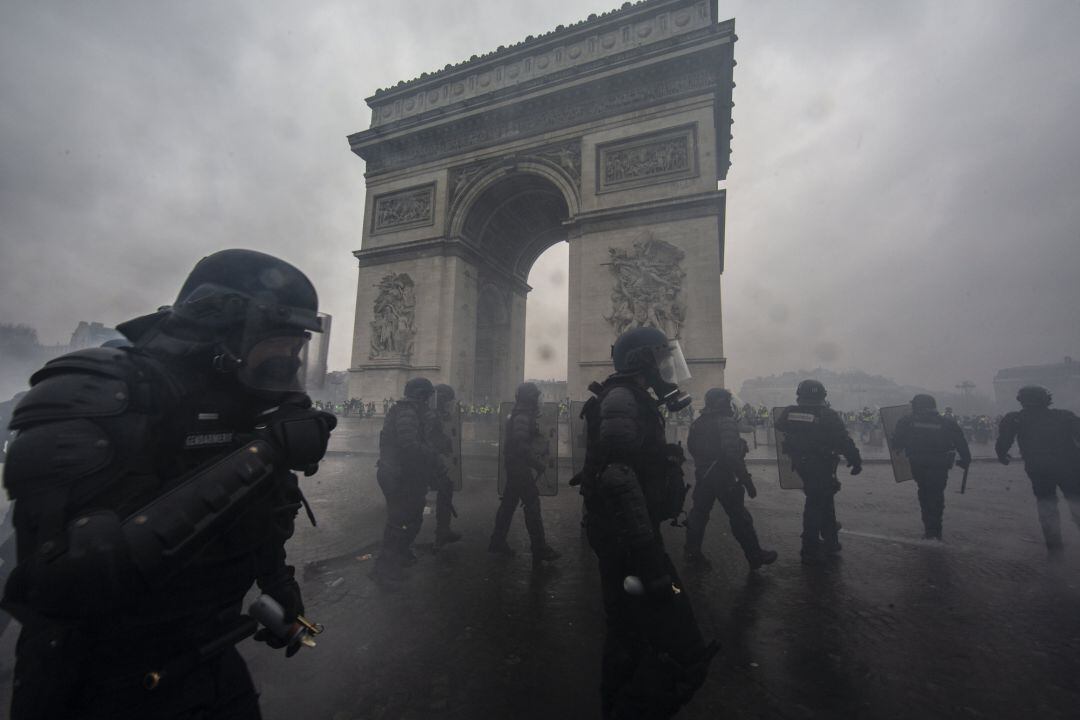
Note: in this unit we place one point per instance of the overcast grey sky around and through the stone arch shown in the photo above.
(904, 196)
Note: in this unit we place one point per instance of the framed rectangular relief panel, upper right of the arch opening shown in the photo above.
(655, 158)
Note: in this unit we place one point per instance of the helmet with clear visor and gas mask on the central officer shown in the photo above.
(647, 351)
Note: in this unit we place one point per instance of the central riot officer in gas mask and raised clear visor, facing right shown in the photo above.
(655, 658)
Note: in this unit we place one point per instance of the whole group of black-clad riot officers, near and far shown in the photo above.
(155, 484)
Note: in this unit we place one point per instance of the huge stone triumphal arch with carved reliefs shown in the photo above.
(611, 135)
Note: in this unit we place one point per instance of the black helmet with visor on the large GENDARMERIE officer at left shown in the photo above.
(255, 310)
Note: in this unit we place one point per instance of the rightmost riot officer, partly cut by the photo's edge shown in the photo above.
(1050, 445)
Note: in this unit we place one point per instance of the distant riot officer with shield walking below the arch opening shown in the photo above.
(523, 467)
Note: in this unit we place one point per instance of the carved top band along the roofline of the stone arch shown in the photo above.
(632, 26)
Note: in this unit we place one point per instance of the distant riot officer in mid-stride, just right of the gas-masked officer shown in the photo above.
(720, 454)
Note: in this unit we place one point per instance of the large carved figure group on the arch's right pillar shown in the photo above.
(649, 288)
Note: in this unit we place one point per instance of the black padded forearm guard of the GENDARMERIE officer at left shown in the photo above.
(165, 536)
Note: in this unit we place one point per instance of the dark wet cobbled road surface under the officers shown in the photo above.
(979, 627)
